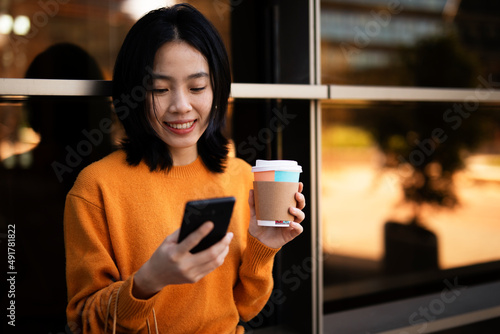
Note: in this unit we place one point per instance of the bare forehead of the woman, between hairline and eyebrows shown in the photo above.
(179, 60)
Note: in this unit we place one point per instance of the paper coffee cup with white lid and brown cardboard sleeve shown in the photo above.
(275, 184)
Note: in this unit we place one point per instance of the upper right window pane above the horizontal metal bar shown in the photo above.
(408, 42)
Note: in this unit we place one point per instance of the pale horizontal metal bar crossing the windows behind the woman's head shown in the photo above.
(314, 91)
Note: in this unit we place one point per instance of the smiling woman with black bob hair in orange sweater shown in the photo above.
(125, 268)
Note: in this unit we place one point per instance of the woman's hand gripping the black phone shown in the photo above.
(172, 263)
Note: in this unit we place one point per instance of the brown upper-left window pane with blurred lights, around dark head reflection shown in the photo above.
(99, 27)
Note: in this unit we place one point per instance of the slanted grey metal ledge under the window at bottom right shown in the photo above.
(470, 304)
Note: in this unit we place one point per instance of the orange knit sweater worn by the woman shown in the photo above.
(117, 215)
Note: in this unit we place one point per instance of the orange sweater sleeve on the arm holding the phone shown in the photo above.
(95, 286)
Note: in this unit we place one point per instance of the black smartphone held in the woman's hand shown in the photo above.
(217, 210)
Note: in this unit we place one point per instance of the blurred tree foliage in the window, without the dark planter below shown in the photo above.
(429, 142)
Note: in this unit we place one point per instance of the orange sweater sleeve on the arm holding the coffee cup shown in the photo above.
(255, 278)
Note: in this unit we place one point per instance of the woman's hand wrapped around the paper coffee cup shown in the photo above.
(276, 237)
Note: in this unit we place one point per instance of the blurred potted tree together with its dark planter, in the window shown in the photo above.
(427, 145)
